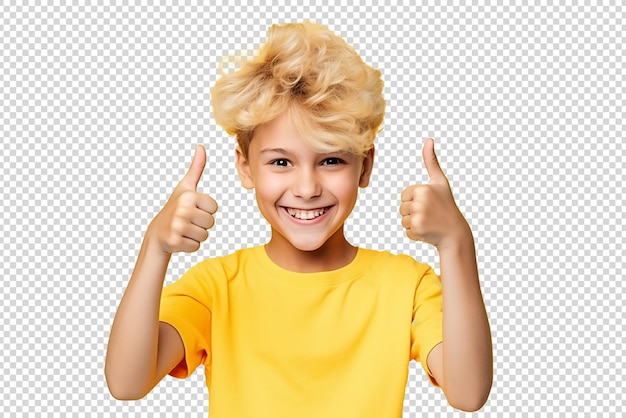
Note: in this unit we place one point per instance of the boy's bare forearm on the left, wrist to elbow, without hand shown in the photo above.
(133, 343)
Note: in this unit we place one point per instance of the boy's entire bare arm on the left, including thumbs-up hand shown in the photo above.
(141, 350)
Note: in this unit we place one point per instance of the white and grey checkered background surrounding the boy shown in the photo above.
(101, 107)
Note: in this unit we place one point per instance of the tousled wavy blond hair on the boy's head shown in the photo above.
(314, 75)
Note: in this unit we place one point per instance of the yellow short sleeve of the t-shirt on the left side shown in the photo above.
(186, 308)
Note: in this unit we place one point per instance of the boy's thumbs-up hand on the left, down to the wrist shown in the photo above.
(184, 221)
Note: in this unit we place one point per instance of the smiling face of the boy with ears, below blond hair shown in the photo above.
(305, 195)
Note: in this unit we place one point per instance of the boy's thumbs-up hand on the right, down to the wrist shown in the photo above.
(429, 212)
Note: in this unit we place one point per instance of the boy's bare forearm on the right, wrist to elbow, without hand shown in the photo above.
(467, 351)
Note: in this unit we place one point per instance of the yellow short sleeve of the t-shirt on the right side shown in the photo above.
(427, 324)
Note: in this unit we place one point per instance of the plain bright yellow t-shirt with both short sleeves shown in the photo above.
(280, 344)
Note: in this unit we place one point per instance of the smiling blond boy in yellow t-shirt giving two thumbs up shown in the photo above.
(307, 325)
